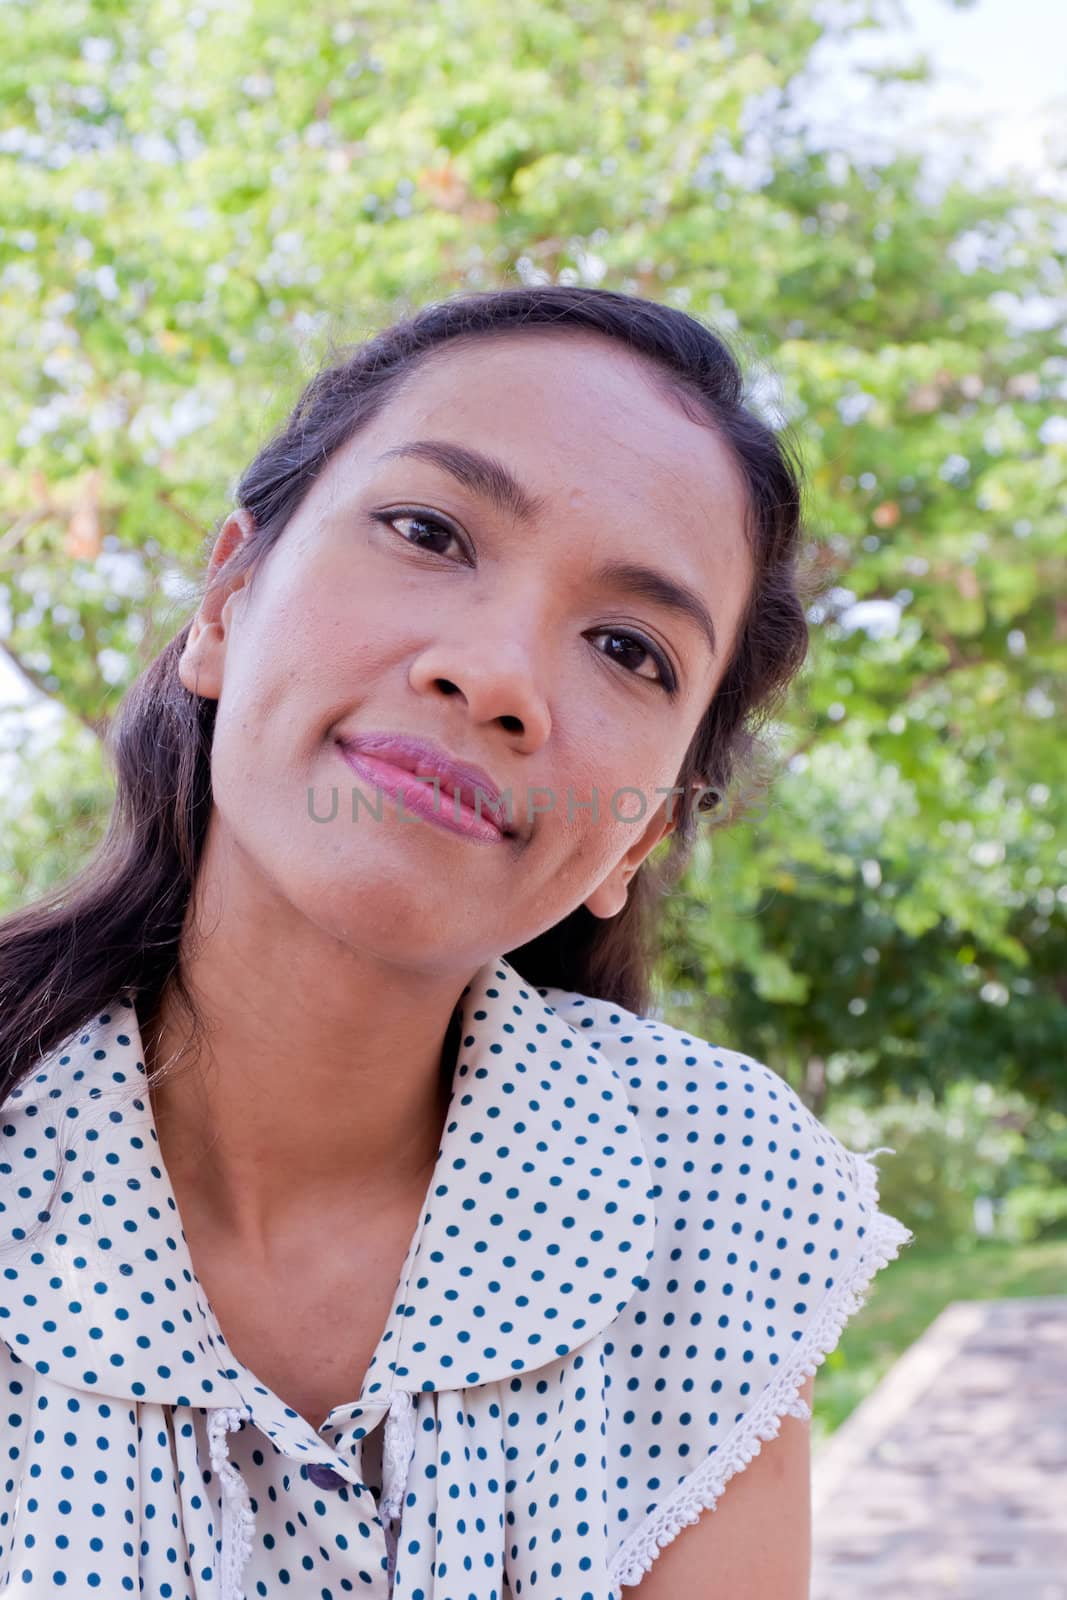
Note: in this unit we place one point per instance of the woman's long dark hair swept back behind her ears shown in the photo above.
(116, 927)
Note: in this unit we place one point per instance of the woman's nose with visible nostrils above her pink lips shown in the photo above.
(494, 678)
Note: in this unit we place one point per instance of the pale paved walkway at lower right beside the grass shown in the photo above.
(951, 1479)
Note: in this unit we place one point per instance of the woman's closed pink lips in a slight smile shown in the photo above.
(465, 796)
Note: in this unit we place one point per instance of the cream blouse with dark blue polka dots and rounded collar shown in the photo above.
(634, 1249)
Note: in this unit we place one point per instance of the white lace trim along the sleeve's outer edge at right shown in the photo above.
(701, 1490)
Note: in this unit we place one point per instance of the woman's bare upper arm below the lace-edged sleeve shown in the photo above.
(756, 1543)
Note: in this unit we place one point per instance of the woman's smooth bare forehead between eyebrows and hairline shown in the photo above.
(575, 415)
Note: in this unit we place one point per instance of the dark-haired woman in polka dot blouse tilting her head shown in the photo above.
(364, 1233)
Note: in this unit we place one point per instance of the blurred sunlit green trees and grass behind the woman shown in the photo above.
(201, 199)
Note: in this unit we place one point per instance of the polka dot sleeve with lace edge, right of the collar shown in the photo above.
(769, 1236)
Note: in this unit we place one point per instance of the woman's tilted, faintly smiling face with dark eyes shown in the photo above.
(406, 598)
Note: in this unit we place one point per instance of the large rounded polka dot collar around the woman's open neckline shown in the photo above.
(535, 1233)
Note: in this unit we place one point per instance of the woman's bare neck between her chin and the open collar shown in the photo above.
(321, 1081)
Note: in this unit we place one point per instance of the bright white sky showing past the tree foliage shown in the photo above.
(999, 63)
